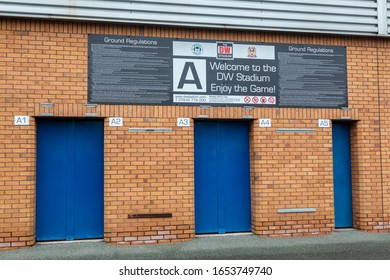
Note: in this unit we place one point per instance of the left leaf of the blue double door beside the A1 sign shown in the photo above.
(51, 190)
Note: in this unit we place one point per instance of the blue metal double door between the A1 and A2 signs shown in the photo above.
(69, 179)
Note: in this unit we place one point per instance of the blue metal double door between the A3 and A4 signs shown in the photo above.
(222, 184)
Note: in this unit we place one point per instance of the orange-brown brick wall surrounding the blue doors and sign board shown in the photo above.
(46, 62)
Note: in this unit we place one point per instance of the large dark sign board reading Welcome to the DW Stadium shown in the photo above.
(166, 71)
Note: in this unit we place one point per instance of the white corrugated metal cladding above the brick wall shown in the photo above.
(326, 16)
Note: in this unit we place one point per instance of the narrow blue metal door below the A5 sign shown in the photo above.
(342, 175)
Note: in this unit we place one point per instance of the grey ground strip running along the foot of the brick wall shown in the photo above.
(343, 245)
